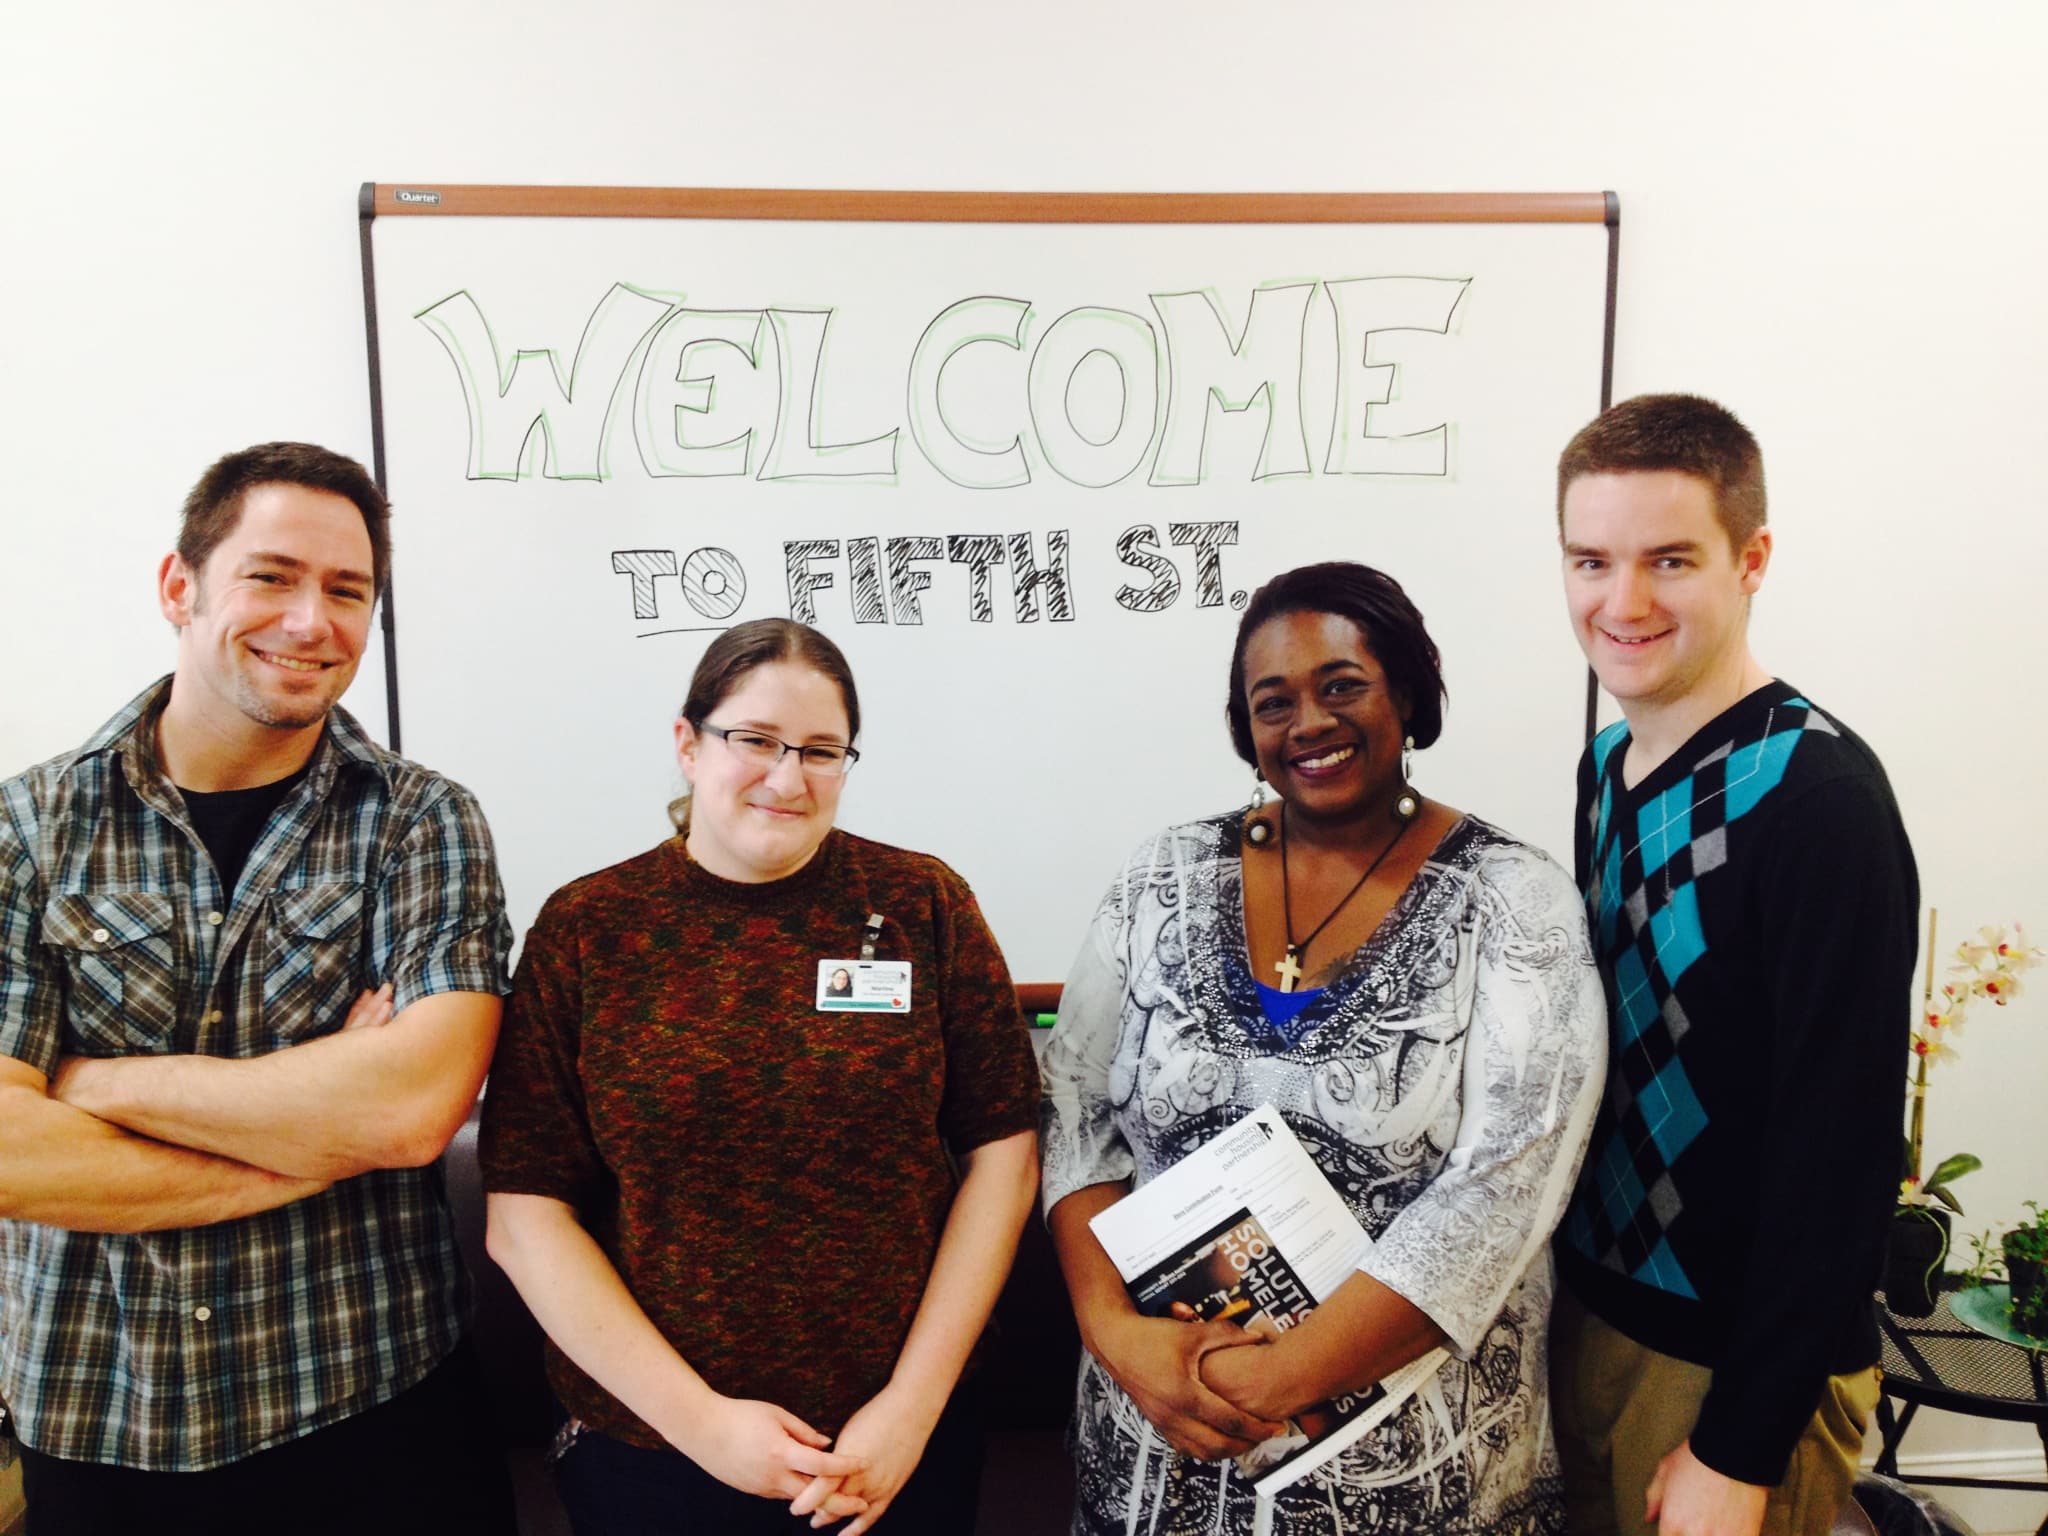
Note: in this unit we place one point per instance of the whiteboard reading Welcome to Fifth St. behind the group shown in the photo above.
(1021, 458)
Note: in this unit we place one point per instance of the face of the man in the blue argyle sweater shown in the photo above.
(1658, 597)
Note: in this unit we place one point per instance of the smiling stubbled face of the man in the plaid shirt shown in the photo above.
(273, 626)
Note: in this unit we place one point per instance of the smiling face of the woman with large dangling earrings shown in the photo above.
(1326, 726)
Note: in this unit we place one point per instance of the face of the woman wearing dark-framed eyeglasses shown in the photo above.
(759, 822)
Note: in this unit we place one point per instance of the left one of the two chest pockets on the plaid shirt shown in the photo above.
(122, 970)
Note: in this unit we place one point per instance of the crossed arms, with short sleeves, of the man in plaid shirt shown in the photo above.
(159, 1142)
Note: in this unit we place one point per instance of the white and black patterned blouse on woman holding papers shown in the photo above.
(1445, 1080)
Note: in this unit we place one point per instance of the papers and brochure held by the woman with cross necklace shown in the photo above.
(1246, 1230)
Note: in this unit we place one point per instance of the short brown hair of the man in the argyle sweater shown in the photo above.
(1682, 433)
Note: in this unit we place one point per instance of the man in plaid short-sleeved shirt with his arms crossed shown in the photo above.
(251, 974)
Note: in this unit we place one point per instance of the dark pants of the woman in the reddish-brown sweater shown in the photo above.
(617, 1490)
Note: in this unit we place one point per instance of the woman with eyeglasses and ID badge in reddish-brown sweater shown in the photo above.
(722, 1179)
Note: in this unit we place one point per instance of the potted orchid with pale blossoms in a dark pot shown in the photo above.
(1983, 968)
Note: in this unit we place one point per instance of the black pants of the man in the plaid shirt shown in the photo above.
(421, 1465)
